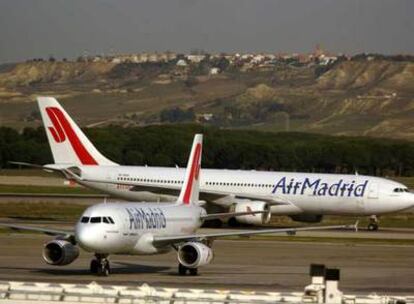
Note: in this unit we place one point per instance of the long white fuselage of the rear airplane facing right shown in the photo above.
(309, 193)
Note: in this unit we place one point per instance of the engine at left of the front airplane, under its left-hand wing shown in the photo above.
(60, 252)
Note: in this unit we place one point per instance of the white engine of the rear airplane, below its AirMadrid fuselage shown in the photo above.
(253, 219)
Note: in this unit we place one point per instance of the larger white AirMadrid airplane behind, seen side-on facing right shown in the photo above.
(305, 197)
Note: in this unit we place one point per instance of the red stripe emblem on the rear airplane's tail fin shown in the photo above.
(62, 129)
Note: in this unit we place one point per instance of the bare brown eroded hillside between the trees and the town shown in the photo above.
(351, 97)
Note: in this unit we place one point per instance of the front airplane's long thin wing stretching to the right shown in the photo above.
(173, 240)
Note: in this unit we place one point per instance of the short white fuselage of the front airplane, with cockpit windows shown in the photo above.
(129, 228)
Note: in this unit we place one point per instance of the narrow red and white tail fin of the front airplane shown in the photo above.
(190, 191)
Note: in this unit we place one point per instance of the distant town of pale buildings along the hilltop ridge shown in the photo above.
(243, 62)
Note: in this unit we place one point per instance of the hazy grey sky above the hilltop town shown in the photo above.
(68, 28)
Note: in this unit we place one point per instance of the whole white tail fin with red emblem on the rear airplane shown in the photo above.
(68, 143)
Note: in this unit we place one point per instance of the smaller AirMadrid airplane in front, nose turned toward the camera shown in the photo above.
(148, 228)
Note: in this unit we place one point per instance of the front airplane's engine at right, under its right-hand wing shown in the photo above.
(193, 254)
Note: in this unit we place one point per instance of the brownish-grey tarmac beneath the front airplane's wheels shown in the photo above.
(238, 264)
